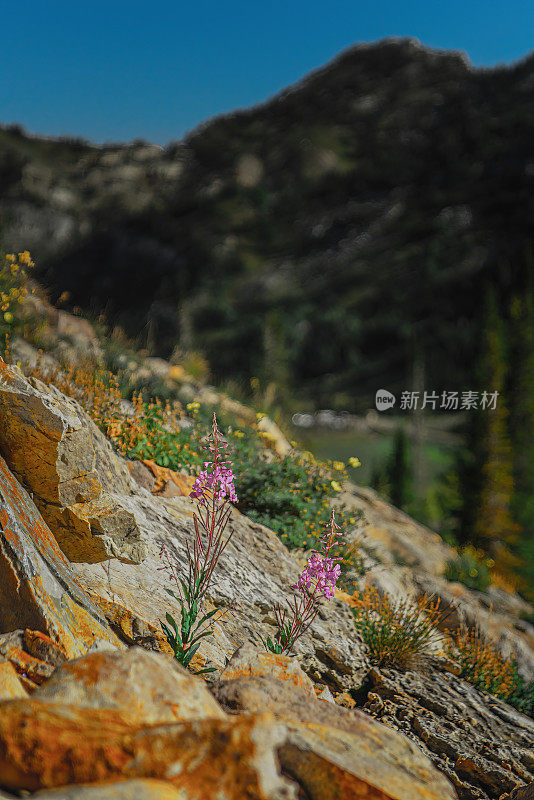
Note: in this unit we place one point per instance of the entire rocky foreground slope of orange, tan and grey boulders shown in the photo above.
(80, 584)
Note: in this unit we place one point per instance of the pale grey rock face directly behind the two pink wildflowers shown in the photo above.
(255, 572)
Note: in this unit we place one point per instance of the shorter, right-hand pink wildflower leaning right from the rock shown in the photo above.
(318, 579)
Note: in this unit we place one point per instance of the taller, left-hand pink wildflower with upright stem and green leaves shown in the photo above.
(214, 491)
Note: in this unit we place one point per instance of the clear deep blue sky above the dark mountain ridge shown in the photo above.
(115, 70)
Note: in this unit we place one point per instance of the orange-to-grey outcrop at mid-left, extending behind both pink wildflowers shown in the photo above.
(255, 573)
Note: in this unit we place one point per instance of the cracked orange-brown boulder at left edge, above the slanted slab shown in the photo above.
(59, 455)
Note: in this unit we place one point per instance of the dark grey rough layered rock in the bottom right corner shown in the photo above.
(484, 746)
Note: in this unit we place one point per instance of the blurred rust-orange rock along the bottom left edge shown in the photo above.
(45, 746)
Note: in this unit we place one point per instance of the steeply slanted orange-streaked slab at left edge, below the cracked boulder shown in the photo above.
(37, 588)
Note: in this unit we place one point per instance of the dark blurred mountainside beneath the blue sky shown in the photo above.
(327, 240)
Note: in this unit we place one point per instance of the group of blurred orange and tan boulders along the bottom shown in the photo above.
(91, 734)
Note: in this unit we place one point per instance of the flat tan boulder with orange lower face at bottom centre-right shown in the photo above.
(334, 753)
